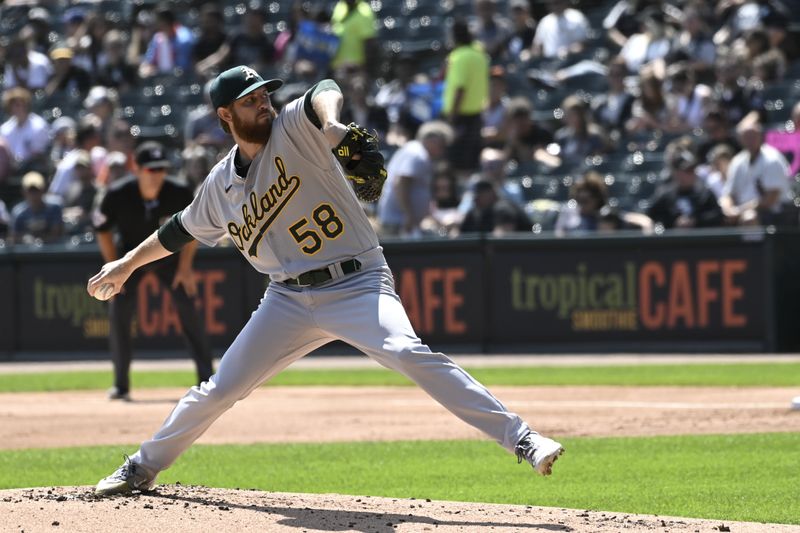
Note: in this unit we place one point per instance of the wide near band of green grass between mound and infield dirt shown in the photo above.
(743, 477)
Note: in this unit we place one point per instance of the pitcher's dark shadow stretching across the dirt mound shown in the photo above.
(309, 518)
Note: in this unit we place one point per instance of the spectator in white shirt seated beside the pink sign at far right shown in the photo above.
(757, 183)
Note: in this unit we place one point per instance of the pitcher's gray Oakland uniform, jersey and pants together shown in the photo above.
(292, 213)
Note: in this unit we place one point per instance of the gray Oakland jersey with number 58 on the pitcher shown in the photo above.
(294, 211)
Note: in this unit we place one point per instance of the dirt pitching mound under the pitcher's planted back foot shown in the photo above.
(192, 508)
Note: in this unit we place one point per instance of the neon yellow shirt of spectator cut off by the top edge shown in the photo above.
(353, 25)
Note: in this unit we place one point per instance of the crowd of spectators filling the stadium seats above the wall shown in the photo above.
(495, 116)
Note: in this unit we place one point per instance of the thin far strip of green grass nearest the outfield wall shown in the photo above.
(712, 375)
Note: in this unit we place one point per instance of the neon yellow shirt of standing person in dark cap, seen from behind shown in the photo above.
(467, 68)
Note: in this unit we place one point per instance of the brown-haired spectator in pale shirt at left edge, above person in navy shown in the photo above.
(26, 133)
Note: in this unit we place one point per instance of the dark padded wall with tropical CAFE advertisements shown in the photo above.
(729, 291)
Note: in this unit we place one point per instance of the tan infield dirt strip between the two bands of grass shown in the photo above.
(283, 414)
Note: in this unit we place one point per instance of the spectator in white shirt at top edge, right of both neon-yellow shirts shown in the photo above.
(561, 32)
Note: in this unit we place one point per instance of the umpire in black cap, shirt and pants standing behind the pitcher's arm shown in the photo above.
(136, 207)
